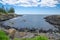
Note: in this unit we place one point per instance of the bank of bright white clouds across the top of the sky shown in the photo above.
(31, 3)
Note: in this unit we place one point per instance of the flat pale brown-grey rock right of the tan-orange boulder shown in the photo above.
(24, 34)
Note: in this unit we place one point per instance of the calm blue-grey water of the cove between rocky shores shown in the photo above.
(30, 21)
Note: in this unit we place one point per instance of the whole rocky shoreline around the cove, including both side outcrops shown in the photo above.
(28, 33)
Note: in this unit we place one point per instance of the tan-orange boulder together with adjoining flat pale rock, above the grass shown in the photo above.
(15, 33)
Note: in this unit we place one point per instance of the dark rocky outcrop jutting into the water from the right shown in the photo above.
(53, 19)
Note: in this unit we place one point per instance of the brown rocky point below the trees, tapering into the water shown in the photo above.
(8, 16)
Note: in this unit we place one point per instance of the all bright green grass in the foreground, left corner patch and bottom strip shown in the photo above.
(3, 36)
